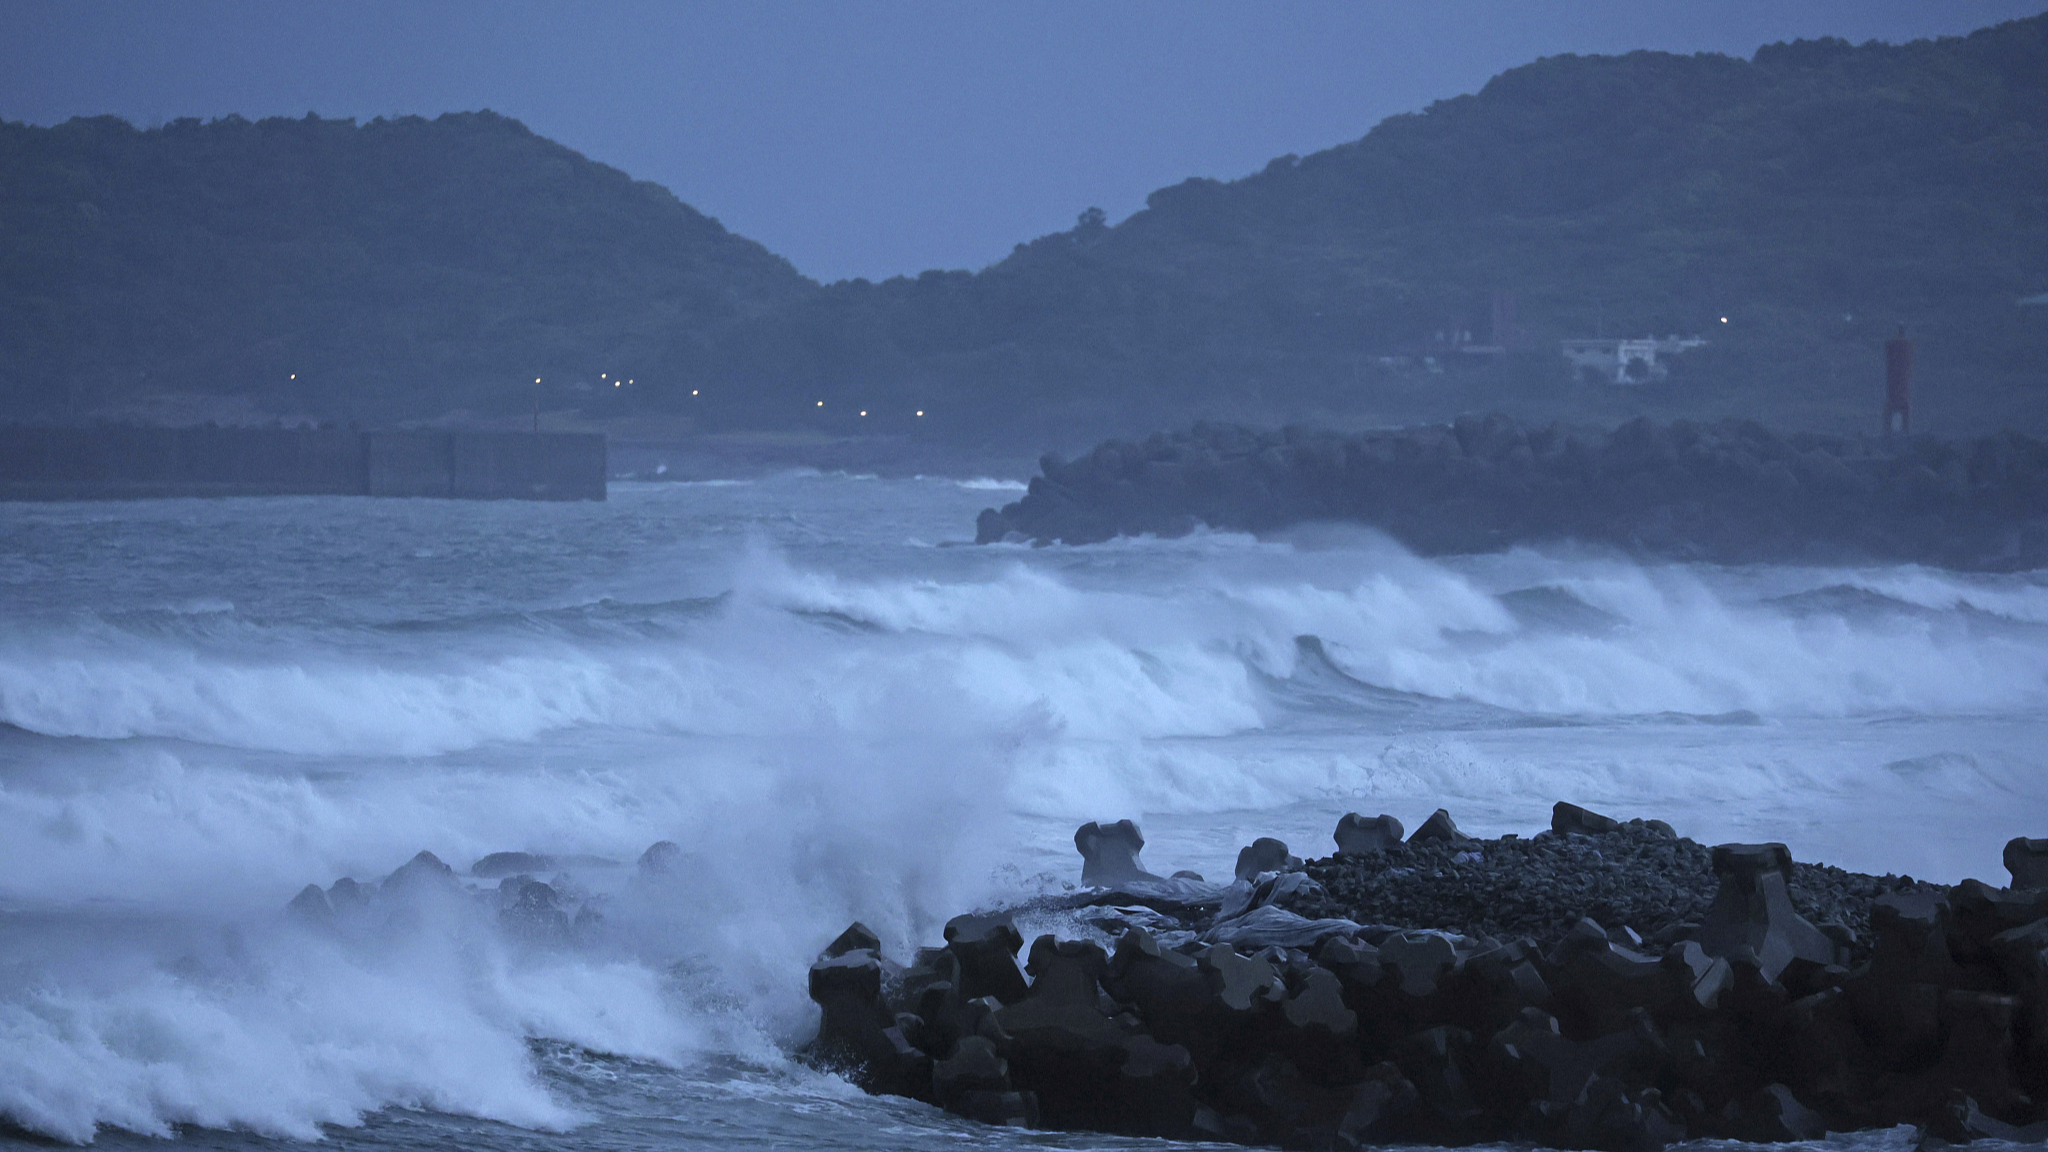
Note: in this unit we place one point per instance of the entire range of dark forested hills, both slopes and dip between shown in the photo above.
(1816, 198)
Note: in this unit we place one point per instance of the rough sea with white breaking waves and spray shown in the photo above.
(839, 714)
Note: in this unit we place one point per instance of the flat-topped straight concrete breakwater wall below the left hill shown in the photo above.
(138, 462)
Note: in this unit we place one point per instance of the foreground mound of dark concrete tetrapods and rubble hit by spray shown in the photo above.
(1598, 985)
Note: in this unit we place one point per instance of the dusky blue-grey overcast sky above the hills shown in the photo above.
(882, 136)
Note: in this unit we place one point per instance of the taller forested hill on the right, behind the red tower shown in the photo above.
(1816, 196)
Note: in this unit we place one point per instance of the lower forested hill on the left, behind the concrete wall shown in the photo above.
(355, 272)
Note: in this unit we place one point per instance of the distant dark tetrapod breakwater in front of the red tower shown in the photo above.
(1723, 493)
